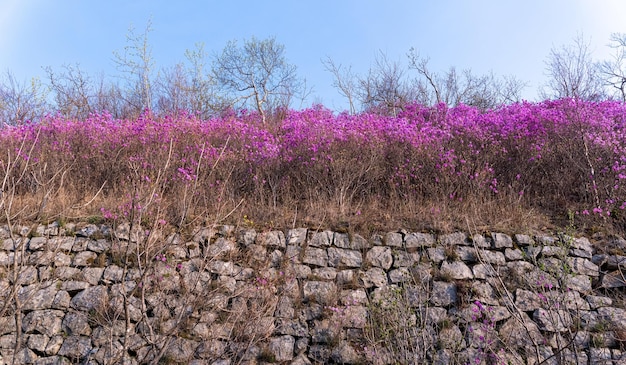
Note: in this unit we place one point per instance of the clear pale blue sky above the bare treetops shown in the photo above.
(510, 37)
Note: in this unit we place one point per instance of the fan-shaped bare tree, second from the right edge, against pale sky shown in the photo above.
(572, 73)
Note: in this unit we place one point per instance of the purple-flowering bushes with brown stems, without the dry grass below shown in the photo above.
(559, 155)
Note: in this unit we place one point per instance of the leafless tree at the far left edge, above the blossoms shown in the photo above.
(21, 101)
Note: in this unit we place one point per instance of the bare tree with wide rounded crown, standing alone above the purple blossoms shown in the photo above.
(256, 74)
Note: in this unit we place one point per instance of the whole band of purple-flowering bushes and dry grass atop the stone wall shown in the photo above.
(520, 167)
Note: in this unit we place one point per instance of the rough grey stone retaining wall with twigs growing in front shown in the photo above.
(95, 295)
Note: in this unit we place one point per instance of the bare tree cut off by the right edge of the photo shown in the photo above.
(614, 69)
